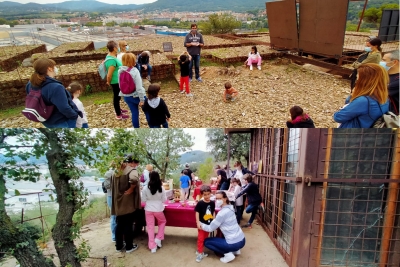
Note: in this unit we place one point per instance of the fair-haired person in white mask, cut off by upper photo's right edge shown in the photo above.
(390, 62)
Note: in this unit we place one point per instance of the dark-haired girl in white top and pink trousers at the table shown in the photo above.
(154, 196)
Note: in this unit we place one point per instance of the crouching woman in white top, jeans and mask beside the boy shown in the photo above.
(226, 221)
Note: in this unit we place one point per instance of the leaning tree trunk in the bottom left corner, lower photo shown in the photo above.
(13, 238)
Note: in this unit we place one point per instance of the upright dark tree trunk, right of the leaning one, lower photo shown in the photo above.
(61, 233)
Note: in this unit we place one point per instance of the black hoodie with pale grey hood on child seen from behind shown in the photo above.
(157, 110)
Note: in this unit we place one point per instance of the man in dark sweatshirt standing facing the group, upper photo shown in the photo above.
(193, 43)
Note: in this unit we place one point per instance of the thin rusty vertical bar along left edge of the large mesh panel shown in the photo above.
(323, 202)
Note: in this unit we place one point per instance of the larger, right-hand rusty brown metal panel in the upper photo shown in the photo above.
(322, 26)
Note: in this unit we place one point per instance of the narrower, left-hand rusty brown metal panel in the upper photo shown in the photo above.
(282, 22)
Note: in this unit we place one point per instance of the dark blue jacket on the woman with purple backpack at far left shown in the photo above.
(54, 93)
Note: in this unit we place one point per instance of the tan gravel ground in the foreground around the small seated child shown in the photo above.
(264, 99)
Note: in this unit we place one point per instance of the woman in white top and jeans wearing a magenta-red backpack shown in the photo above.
(131, 87)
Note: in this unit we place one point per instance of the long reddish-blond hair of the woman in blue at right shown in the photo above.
(373, 80)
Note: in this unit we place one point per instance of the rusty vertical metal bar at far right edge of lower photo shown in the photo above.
(390, 212)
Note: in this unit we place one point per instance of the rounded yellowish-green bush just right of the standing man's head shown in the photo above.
(219, 24)
